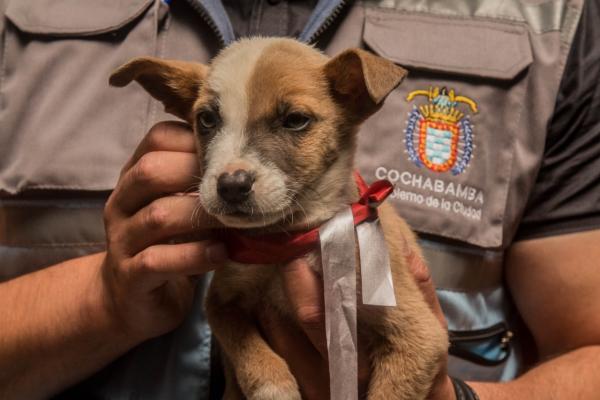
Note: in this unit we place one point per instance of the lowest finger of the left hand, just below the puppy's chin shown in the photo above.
(158, 263)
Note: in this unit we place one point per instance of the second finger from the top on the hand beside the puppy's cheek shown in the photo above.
(155, 175)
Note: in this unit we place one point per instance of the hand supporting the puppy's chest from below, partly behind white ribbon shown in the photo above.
(306, 352)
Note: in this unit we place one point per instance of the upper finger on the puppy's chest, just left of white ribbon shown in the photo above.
(304, 290)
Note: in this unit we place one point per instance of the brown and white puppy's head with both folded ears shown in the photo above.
(275, 122)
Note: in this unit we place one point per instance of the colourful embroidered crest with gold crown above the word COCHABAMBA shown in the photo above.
(438, 134)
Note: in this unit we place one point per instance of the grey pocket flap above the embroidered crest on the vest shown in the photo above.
(483, 48)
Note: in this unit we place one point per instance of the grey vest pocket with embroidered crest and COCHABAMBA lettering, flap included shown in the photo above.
(450, 128)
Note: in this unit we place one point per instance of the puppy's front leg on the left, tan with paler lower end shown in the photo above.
(261, 374)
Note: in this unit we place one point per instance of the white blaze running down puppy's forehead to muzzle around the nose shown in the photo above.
(230, 73)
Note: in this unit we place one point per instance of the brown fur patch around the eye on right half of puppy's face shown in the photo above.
(286, 77)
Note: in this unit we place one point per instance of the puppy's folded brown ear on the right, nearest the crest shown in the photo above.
(361, 80)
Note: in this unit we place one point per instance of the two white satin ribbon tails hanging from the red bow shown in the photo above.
(338, 253)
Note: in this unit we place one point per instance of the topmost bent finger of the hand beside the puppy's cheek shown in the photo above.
(164, 136)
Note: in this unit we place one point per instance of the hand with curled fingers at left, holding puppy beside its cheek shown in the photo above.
(148, 280)
